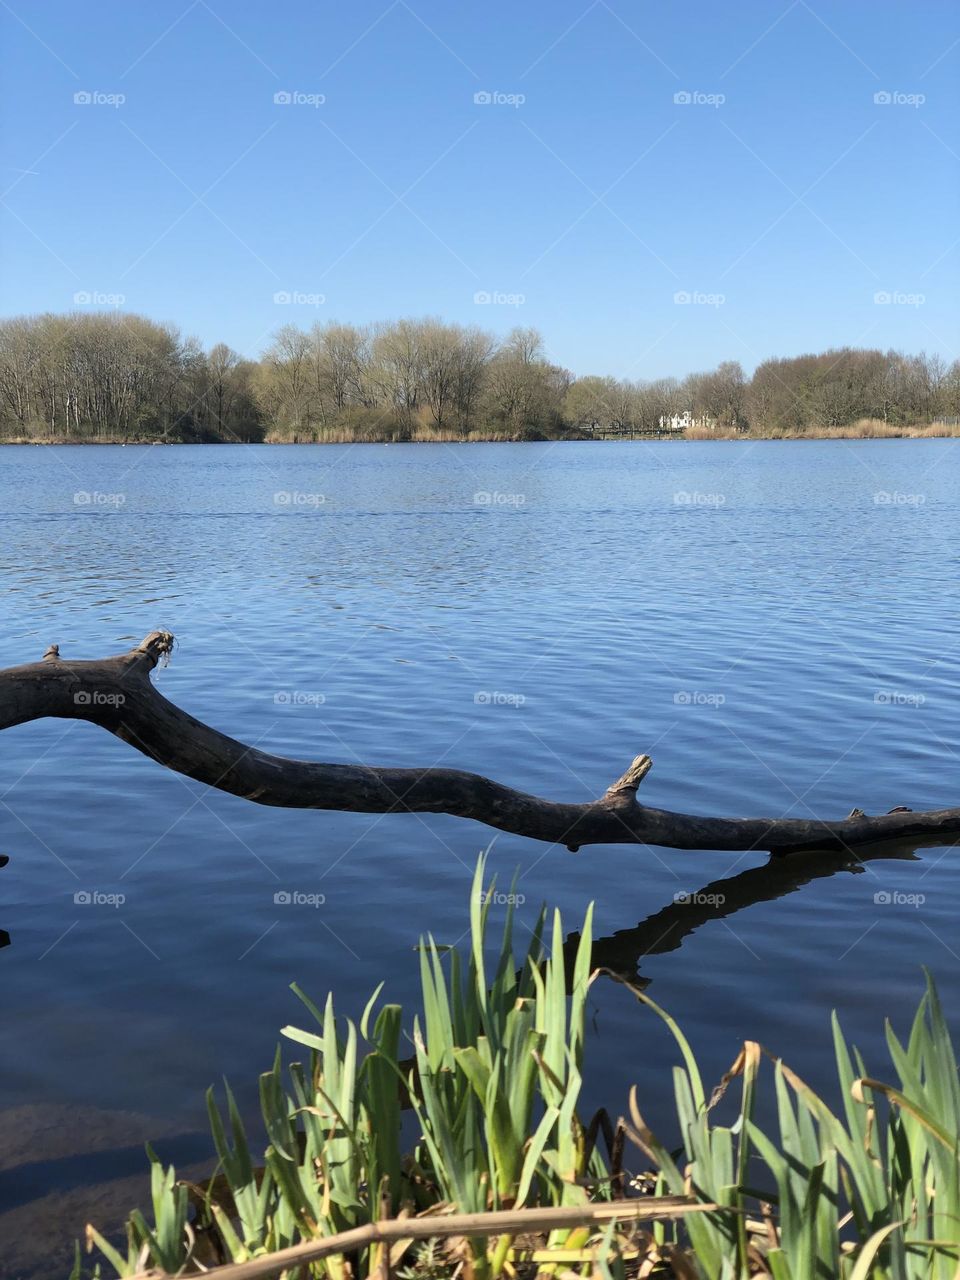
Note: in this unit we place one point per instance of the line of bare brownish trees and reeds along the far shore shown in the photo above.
(111, 377)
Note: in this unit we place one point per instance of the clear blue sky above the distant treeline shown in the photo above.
(582, 196)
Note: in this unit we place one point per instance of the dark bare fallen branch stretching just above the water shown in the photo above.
(118, 696)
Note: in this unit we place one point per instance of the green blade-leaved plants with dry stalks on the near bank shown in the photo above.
(495, 1087)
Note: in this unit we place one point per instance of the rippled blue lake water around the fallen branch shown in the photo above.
(775, 623)
